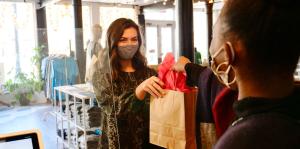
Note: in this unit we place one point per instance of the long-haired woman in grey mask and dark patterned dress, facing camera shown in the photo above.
(122, 85)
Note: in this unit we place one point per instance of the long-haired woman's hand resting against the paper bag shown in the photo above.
(153, 86)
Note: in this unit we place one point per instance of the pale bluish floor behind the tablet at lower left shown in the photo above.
(30, 117)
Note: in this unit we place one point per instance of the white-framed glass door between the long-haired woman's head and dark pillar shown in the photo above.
(160, 33)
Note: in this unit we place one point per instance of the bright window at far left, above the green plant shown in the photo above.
(17, 38)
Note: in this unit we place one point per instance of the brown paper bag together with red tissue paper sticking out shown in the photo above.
(172, 117)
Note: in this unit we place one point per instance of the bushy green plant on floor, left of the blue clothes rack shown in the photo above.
(23, 87)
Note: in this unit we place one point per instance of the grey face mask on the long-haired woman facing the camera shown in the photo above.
(127, 52)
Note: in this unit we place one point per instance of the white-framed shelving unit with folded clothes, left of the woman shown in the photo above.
(81, 93)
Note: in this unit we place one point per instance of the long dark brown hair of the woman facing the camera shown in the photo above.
(113, 35)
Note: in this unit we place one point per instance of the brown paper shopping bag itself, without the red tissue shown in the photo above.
(172, 120)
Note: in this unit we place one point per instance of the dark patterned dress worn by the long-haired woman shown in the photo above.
(124, 118)
